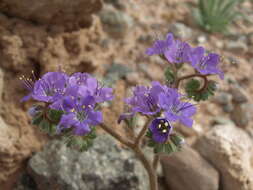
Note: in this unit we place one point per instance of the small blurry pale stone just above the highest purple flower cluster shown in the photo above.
(180, 30)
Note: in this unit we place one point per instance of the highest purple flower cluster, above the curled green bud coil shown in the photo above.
(176, 51)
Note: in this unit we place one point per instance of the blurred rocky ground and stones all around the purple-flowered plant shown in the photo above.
(108, 39)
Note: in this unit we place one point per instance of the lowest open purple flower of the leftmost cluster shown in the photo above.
(80, 115)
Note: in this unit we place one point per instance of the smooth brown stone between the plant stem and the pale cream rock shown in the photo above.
(188, 169)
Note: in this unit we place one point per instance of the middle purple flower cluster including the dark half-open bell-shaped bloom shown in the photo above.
(160, 101)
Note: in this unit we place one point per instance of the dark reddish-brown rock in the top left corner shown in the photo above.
(53, 12)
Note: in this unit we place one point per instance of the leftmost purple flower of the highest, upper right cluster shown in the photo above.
(160, 46)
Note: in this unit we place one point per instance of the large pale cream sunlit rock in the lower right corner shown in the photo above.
(229, 149)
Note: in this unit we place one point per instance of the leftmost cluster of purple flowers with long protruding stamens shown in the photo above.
(76, 95)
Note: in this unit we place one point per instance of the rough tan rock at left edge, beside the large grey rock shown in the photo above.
(15, 147)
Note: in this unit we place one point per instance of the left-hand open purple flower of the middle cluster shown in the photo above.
(145, 99)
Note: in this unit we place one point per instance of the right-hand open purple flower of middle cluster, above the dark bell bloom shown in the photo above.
(176, 110)
